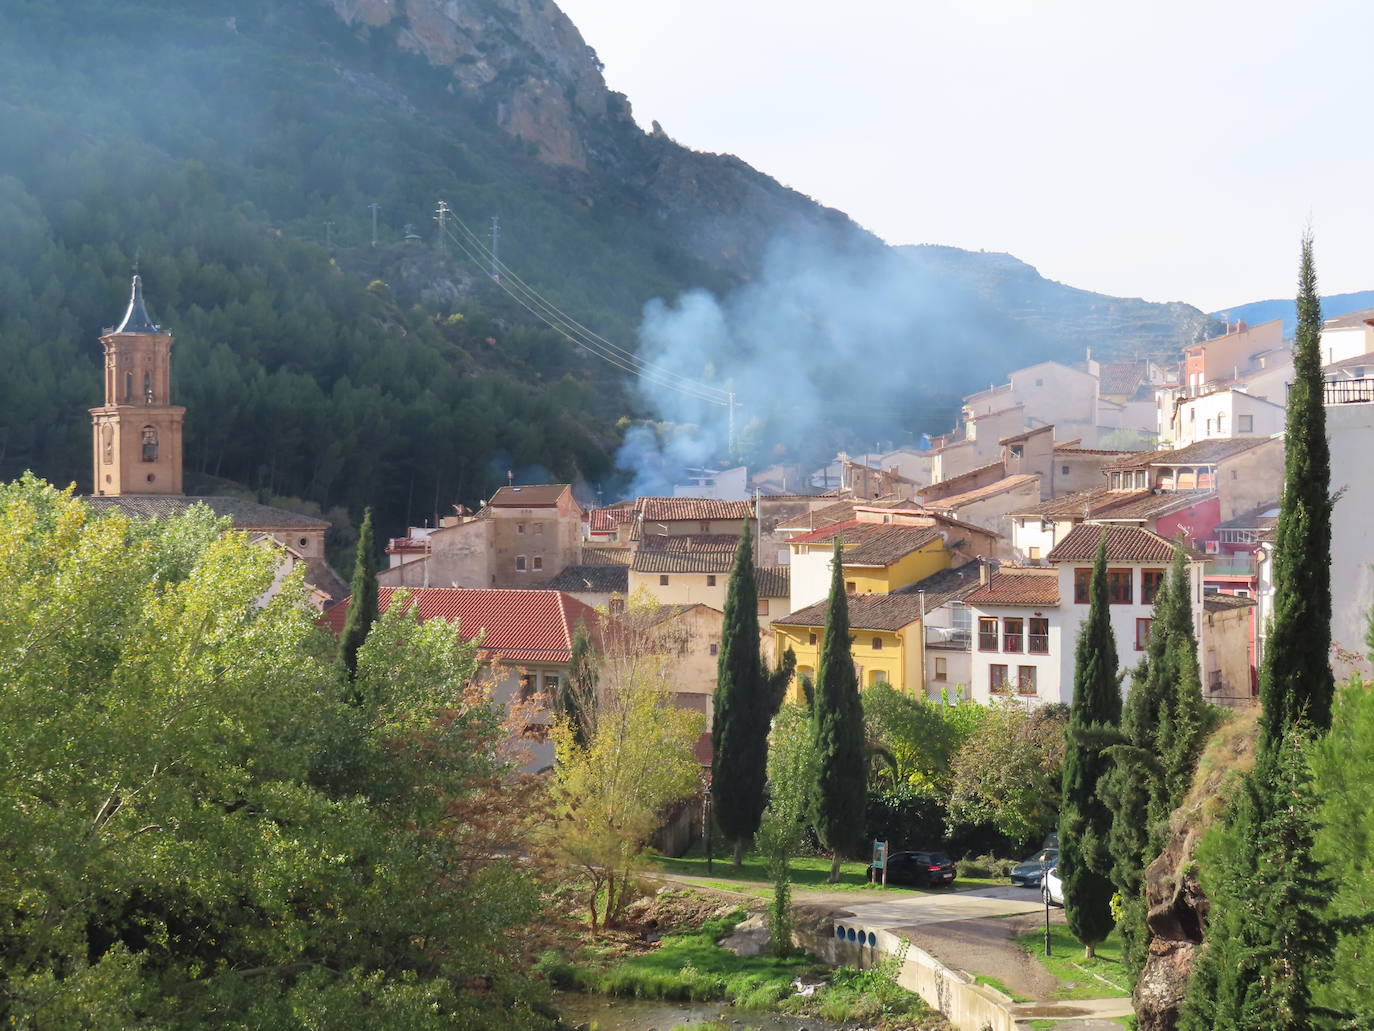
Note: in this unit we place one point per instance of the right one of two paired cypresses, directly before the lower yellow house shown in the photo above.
(837, 725)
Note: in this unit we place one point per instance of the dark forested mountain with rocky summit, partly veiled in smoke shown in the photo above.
(236, 153)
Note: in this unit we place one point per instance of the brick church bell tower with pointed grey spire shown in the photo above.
(137, 435)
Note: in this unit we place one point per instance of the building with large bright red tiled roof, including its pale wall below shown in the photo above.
(526, 650)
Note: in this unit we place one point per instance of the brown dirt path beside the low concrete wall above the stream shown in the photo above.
(987, 948)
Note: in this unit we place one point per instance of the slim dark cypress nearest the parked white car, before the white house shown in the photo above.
(1085, 819)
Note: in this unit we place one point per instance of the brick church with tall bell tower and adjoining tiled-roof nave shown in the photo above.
(137, 453)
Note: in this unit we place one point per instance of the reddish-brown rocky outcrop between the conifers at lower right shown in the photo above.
(1178, 907)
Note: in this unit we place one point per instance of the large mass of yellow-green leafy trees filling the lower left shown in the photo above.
(194, 824)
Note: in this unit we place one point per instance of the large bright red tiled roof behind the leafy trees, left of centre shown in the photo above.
(520, 626)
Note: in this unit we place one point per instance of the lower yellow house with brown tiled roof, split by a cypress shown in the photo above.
(886, 633)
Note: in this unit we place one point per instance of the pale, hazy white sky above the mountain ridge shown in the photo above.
(1163, 151)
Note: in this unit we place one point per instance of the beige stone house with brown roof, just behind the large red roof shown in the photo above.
(524, 535)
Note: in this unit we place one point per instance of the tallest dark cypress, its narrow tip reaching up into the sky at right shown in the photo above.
(1296, 678)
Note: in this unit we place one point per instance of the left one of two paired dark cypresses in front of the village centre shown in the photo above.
(743, 710)
